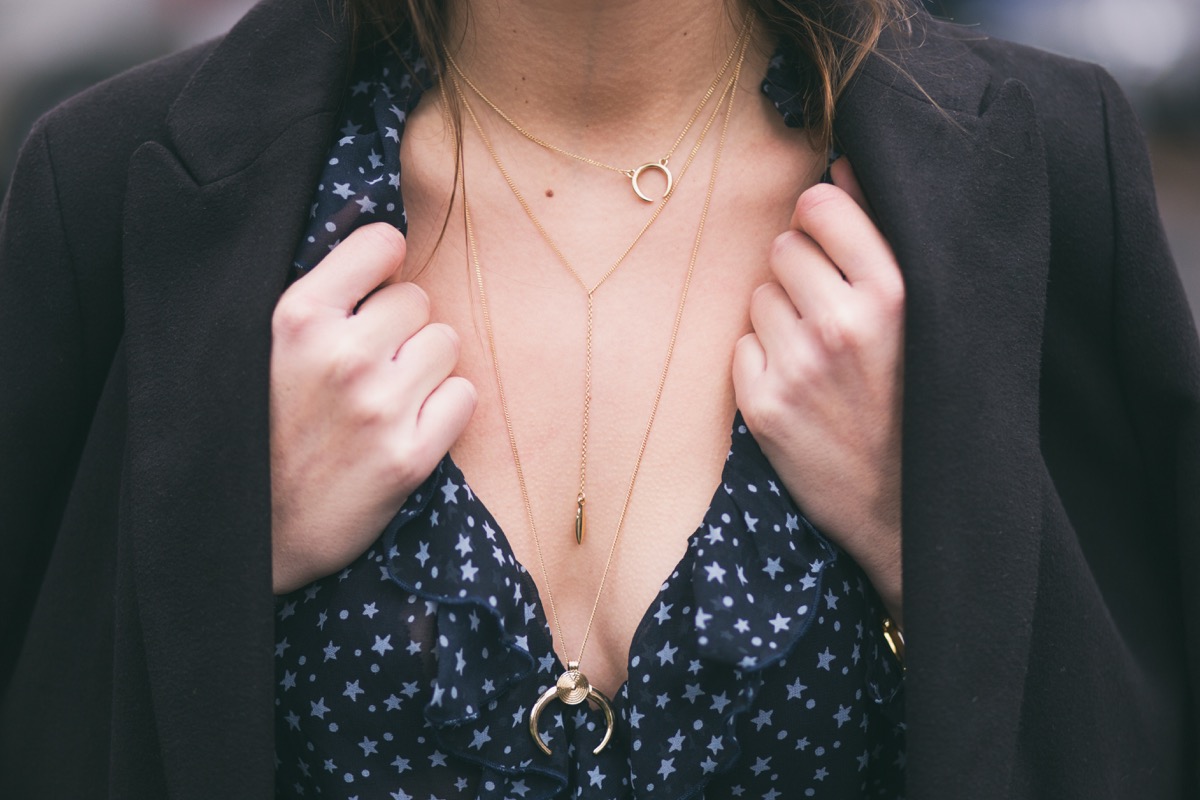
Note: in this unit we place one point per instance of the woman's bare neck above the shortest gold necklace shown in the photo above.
(598, 70)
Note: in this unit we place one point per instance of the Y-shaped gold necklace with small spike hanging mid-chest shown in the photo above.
(581, 500)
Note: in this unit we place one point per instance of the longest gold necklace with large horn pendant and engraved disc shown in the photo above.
(573, 687)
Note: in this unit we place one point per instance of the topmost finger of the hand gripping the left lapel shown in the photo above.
(364, 261)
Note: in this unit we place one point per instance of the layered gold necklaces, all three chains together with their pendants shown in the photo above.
(573, 687)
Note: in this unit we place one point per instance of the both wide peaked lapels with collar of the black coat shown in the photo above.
(213, 219)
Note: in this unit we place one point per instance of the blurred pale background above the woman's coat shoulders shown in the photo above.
(51, 50)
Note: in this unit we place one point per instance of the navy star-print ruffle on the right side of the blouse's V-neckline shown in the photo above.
(749, 573)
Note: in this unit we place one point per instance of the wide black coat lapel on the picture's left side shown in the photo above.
(213, 218)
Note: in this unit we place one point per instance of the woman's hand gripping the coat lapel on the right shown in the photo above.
(820, 381)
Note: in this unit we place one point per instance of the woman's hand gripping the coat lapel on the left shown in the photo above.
(363, 406)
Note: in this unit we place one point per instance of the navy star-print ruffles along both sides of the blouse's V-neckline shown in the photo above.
(746, 573)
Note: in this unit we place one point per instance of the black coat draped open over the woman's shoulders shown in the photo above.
(1052, 432)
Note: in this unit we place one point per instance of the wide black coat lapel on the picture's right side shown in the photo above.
(961, 191)
